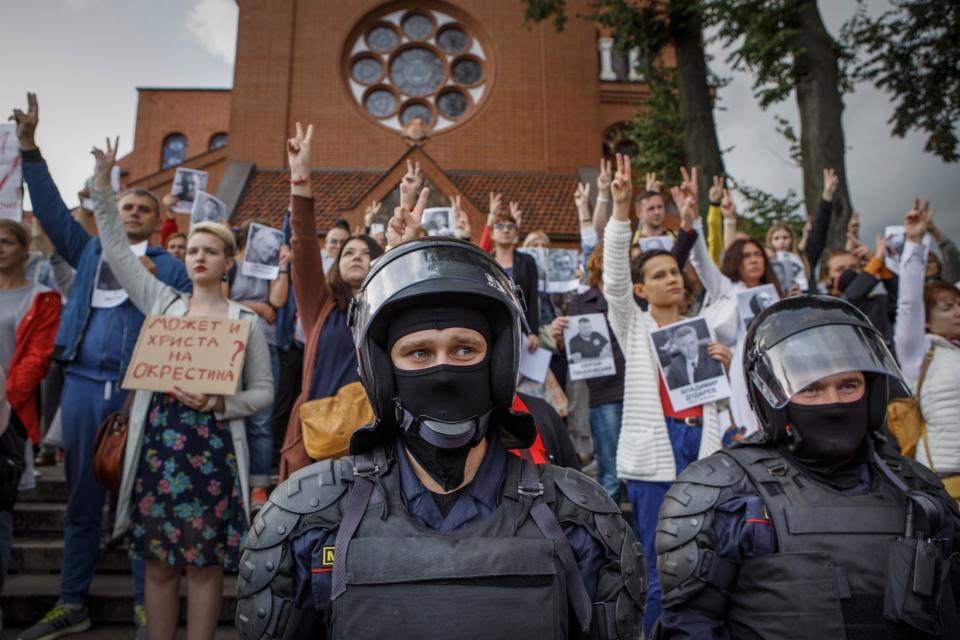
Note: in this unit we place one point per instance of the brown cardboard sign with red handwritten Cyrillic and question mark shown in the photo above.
(202, 355)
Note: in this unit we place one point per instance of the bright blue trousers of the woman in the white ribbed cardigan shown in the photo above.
(646, 498)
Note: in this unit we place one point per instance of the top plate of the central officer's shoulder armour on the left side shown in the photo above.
(315, 487)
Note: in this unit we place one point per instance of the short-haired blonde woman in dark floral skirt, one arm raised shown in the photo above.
(184, 496)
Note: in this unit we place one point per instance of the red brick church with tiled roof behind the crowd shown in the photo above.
(508, 106)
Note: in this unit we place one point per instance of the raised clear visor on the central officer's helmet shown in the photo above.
(445, 268)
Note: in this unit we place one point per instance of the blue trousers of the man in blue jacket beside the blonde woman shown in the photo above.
(84, 404)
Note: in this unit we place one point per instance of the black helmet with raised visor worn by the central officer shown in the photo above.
(434, 272)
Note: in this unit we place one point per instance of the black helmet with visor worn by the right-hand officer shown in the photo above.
(802, 339)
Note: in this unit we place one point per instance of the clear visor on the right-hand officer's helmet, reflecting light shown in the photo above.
(790, 366)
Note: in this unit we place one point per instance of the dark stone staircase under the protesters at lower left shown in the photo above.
(32, 585)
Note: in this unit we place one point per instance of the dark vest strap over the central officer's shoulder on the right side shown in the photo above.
(531, 488)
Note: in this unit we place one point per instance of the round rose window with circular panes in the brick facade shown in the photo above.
(418, 63)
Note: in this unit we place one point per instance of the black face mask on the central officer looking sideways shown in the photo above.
(443, 414)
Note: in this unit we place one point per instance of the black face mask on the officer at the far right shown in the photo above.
(828, 439)
